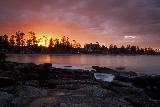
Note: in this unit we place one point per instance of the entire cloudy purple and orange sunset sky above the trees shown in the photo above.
(106, 21)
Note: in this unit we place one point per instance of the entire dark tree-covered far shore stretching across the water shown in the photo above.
(44, 45)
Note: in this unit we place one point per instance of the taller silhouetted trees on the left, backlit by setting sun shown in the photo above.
(19, 44)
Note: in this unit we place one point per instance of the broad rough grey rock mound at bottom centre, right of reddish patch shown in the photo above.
(88, 96)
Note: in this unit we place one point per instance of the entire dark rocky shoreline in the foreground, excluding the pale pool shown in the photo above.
(24, 84)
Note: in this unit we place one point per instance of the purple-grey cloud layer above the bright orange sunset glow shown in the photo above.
(100, 17)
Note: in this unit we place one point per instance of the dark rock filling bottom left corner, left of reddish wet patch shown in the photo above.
(20, 96)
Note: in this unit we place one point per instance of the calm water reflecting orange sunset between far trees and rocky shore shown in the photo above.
(139, 63)
